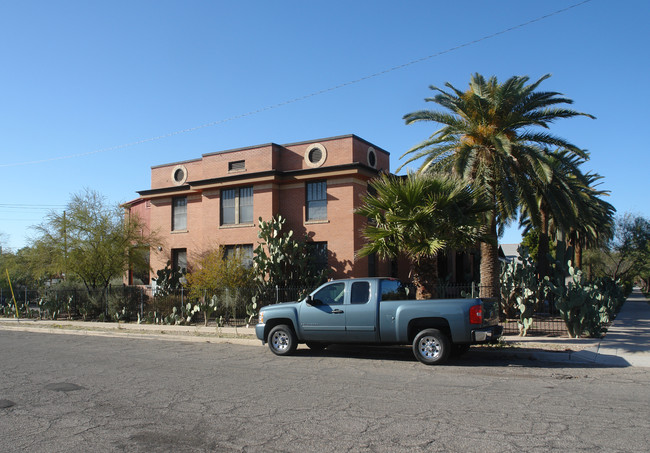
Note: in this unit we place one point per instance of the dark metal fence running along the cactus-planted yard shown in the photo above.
(130, 303)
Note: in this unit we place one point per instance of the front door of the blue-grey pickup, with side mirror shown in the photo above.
(325, 320)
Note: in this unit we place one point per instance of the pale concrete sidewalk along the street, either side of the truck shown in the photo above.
(627, 342)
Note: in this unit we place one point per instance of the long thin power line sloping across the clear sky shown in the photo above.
(307, 96)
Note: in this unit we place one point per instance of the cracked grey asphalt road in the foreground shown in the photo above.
(72, 393)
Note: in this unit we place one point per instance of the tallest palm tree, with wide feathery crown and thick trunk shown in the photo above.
(490, 136)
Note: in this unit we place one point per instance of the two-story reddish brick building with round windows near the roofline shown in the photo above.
(216, 200)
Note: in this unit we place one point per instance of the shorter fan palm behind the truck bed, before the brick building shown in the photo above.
(418, 216)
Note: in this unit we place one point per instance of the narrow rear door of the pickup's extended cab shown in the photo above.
(361, 314)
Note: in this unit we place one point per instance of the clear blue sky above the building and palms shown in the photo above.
(84, 79)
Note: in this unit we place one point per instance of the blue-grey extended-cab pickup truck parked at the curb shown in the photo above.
(378, 311)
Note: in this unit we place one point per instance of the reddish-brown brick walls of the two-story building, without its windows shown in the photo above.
(341, 231)
